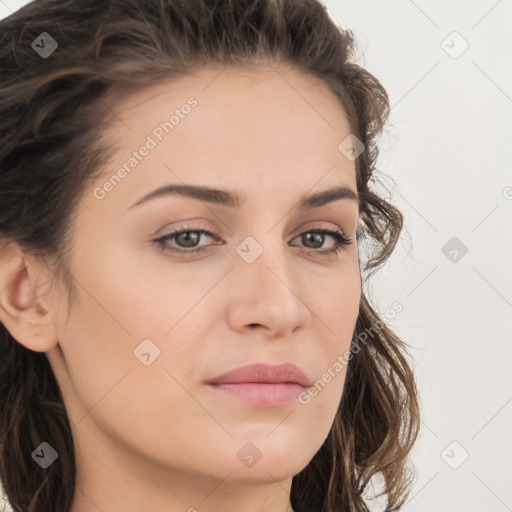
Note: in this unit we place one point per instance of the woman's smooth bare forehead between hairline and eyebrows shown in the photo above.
(261, 127)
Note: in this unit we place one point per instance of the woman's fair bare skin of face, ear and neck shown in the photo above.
(155, 437)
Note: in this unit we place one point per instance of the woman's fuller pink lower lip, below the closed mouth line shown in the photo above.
(266, 395)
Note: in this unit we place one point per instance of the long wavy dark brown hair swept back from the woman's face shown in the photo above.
(51, 149)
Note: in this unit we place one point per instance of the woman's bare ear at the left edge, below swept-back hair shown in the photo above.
(27, 316)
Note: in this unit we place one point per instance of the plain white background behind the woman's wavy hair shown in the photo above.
(446, 160)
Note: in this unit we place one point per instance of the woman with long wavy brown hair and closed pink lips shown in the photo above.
(186, 196)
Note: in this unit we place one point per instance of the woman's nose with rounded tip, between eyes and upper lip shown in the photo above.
(269, 294)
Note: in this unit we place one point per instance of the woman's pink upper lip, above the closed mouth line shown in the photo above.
(264, 373)
